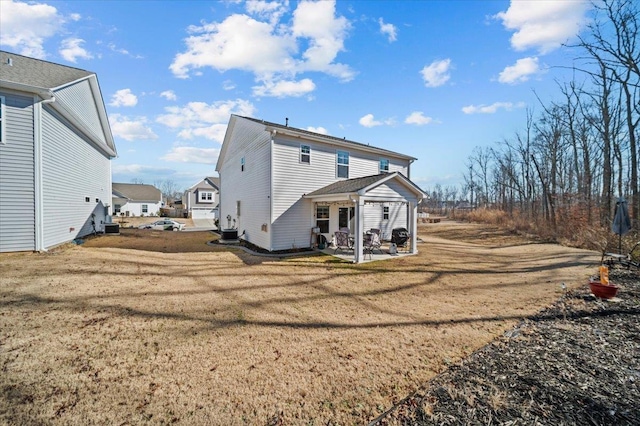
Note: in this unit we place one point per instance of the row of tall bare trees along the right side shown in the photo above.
(576, 155)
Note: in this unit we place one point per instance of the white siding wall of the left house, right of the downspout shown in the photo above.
(72, 170)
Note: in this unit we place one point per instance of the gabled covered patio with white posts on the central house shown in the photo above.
(366, 202)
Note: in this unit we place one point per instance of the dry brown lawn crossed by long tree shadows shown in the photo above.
(158, 327)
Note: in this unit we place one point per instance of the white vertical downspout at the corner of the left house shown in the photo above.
(47, 98)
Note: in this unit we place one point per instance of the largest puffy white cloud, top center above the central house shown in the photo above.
(268, 47)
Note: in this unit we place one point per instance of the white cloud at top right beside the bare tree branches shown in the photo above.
(544, 25)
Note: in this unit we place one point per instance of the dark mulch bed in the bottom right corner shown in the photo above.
(575, 363)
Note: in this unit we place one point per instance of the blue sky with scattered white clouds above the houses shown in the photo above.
(431, 79)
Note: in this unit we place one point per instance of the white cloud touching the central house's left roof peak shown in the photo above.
(199, 119)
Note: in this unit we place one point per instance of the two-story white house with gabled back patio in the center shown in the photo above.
(277, 183)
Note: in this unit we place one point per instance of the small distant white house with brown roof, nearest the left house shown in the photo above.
(132, 199)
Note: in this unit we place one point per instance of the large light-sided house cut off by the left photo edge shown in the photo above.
(55, 152)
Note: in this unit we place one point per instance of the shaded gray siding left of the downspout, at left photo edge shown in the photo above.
(17, 175)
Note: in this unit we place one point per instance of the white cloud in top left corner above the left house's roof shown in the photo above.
(25, 26)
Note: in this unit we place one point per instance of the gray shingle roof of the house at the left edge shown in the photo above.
(36, 72)
